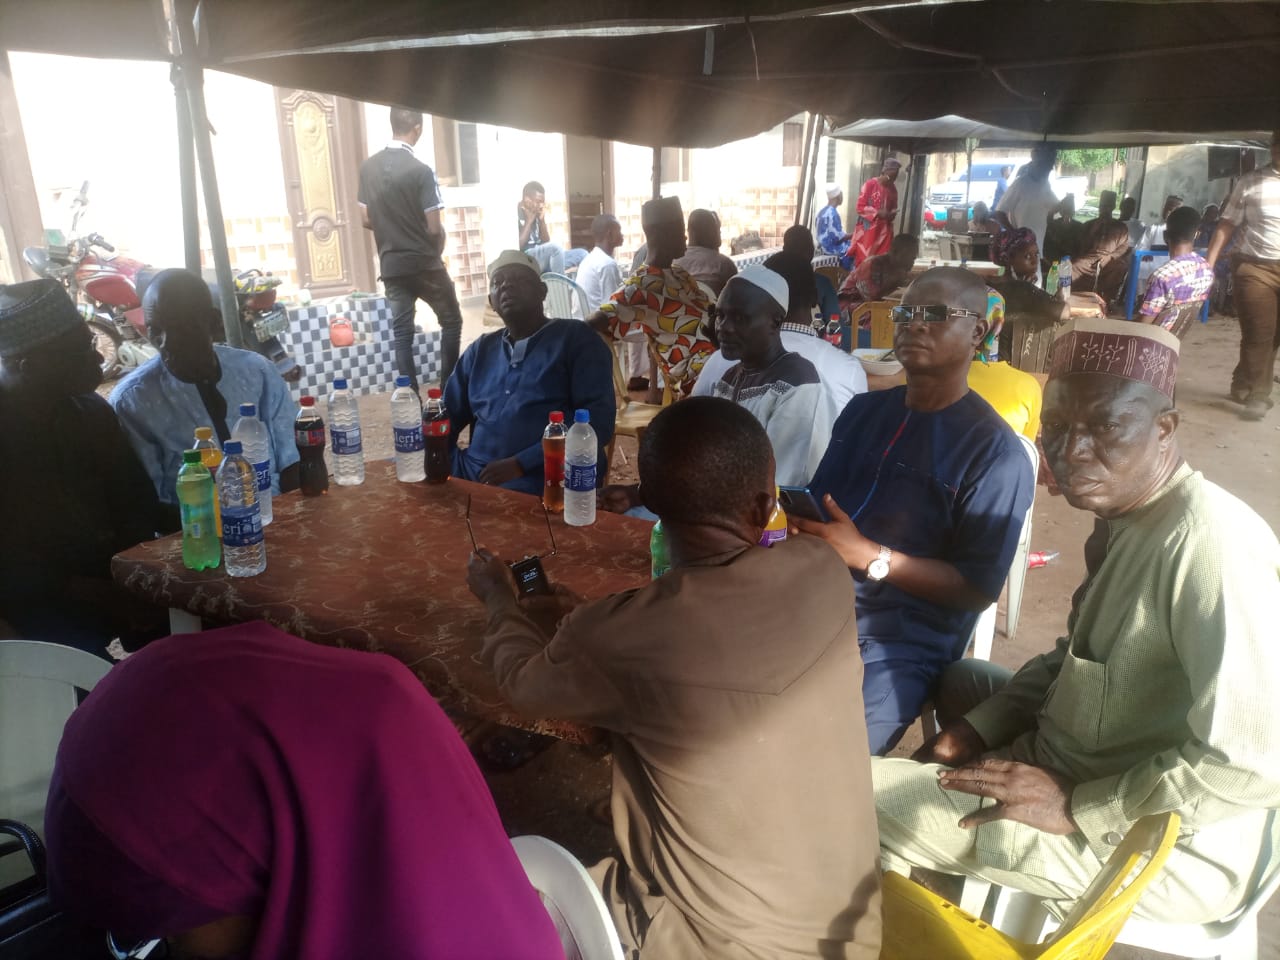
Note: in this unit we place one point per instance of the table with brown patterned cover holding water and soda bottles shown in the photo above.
(382, 568)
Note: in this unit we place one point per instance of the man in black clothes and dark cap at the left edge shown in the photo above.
(72, 490)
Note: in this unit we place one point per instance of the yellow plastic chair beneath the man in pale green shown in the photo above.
(920, 924)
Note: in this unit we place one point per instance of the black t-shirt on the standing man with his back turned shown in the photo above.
(399, 189)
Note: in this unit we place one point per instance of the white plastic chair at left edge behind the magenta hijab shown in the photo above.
(39, 691)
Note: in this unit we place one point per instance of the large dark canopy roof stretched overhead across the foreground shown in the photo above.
(705, 72)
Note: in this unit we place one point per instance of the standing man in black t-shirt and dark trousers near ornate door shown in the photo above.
(400, 202)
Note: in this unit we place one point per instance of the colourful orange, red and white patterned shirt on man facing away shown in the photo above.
(670, 308)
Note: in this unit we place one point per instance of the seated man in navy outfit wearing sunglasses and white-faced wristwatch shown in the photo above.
(927, 490)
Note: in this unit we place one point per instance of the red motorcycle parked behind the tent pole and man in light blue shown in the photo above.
(108, 292)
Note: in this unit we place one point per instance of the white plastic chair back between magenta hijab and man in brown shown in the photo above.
(572, 898)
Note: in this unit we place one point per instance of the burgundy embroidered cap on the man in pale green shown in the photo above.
(1133, 351)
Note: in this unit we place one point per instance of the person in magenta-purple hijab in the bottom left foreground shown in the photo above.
(246, 794)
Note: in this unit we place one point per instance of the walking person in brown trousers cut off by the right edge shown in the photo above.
(1252, 220)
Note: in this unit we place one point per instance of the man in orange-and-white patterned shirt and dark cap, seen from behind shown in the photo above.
(662, 300)
